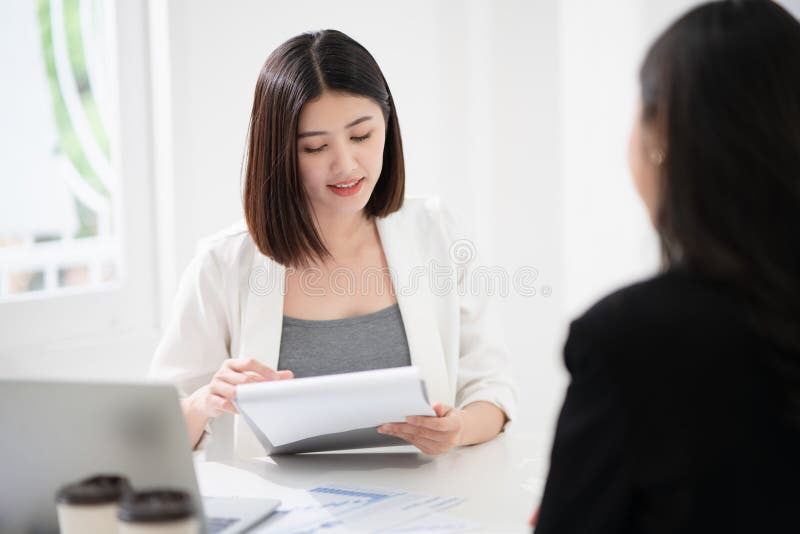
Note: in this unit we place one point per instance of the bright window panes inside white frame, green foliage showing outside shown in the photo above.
(59, 189)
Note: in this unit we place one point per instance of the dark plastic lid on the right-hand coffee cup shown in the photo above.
(155, 505)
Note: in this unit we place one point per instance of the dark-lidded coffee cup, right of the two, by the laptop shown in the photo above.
(157, 512)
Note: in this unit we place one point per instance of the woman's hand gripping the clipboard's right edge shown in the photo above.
(431, 435)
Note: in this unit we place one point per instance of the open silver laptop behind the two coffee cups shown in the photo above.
(55, 433)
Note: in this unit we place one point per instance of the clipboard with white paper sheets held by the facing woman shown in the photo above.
(331, 412)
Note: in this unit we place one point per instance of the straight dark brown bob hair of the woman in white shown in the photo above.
(279, 216)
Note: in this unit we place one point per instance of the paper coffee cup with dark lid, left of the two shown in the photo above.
(91, 505)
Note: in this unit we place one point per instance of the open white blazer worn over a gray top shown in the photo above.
(230, 304)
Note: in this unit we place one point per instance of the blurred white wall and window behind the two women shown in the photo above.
(122, 128)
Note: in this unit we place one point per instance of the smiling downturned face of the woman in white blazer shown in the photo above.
(340, 151)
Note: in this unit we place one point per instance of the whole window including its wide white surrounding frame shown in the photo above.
(77, 252)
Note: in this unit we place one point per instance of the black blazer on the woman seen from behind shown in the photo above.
(673, 421)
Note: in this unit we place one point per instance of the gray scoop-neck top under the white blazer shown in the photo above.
(373, 341)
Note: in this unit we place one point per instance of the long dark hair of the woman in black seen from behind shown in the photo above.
(722, 86)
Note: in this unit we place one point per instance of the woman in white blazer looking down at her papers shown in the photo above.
(329, 237)
